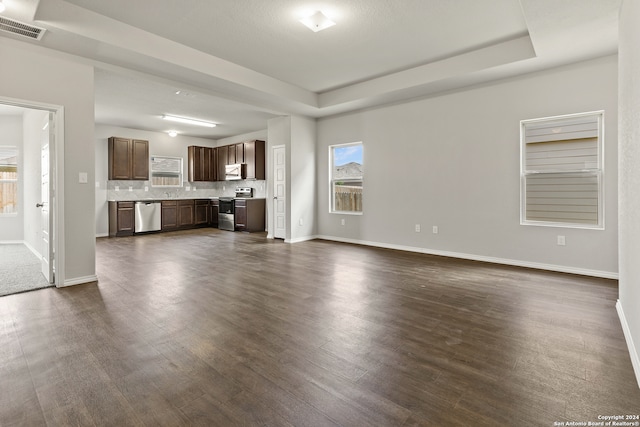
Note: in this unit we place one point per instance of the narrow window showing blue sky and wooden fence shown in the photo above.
(346, 172)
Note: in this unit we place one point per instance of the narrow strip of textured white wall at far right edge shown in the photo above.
(629, 176)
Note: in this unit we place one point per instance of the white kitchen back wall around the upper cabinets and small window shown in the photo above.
(160, 144)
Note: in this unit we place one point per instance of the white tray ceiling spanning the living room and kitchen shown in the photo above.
(243, 62)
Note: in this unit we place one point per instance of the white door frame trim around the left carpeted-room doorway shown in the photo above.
(56, 200)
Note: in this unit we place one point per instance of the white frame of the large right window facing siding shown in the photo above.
(597, 172)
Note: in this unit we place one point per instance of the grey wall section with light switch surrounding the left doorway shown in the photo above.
(32, 73)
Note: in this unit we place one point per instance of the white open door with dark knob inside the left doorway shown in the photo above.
(45, 201)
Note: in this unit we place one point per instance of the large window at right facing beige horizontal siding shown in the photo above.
(562, 171)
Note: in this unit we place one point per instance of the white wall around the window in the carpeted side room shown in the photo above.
(11, 226)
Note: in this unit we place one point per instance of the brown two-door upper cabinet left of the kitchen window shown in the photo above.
(128, 159)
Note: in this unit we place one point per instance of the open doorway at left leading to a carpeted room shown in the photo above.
(34, 246)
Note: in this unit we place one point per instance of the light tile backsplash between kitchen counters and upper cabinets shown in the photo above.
(135, 190)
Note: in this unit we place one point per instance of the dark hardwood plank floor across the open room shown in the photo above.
(207, 327)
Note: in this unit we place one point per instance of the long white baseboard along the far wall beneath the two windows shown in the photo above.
(473, 257)
